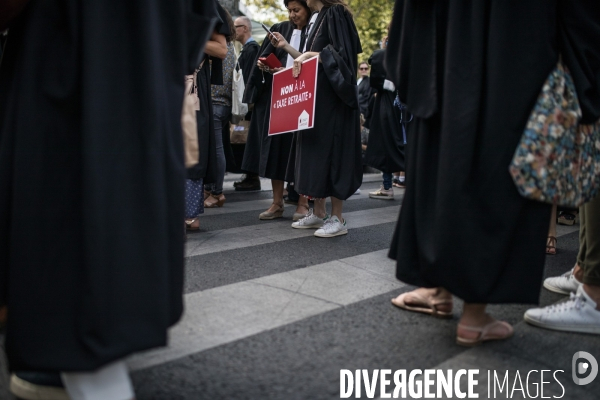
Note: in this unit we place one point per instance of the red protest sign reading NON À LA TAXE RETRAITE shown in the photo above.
(293, 99)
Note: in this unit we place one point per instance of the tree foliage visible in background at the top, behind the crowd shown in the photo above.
(370, 16)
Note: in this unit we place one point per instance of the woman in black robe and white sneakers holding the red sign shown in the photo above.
(328, 161)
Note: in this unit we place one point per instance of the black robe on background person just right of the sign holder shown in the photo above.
(385, 149)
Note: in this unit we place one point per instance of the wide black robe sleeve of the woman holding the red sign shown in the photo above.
(339, 58)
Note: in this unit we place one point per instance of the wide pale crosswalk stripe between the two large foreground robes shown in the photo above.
(228, 313)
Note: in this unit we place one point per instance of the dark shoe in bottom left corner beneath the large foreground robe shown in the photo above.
(38, 385)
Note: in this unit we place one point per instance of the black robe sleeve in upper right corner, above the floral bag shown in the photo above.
(580, 49)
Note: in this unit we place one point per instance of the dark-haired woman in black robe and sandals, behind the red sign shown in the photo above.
(267, 155)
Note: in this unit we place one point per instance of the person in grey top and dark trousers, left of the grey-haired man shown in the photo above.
(221, 104)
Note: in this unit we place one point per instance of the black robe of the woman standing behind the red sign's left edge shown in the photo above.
(266, 155)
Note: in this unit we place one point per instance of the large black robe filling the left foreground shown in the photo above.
(92, 177)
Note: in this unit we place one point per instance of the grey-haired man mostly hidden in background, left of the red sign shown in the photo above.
(247, 59)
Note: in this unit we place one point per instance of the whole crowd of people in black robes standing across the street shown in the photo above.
(444, 110)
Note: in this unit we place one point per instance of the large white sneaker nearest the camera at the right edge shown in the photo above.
(578, 314)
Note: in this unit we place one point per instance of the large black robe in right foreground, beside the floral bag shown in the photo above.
(471, 72)
